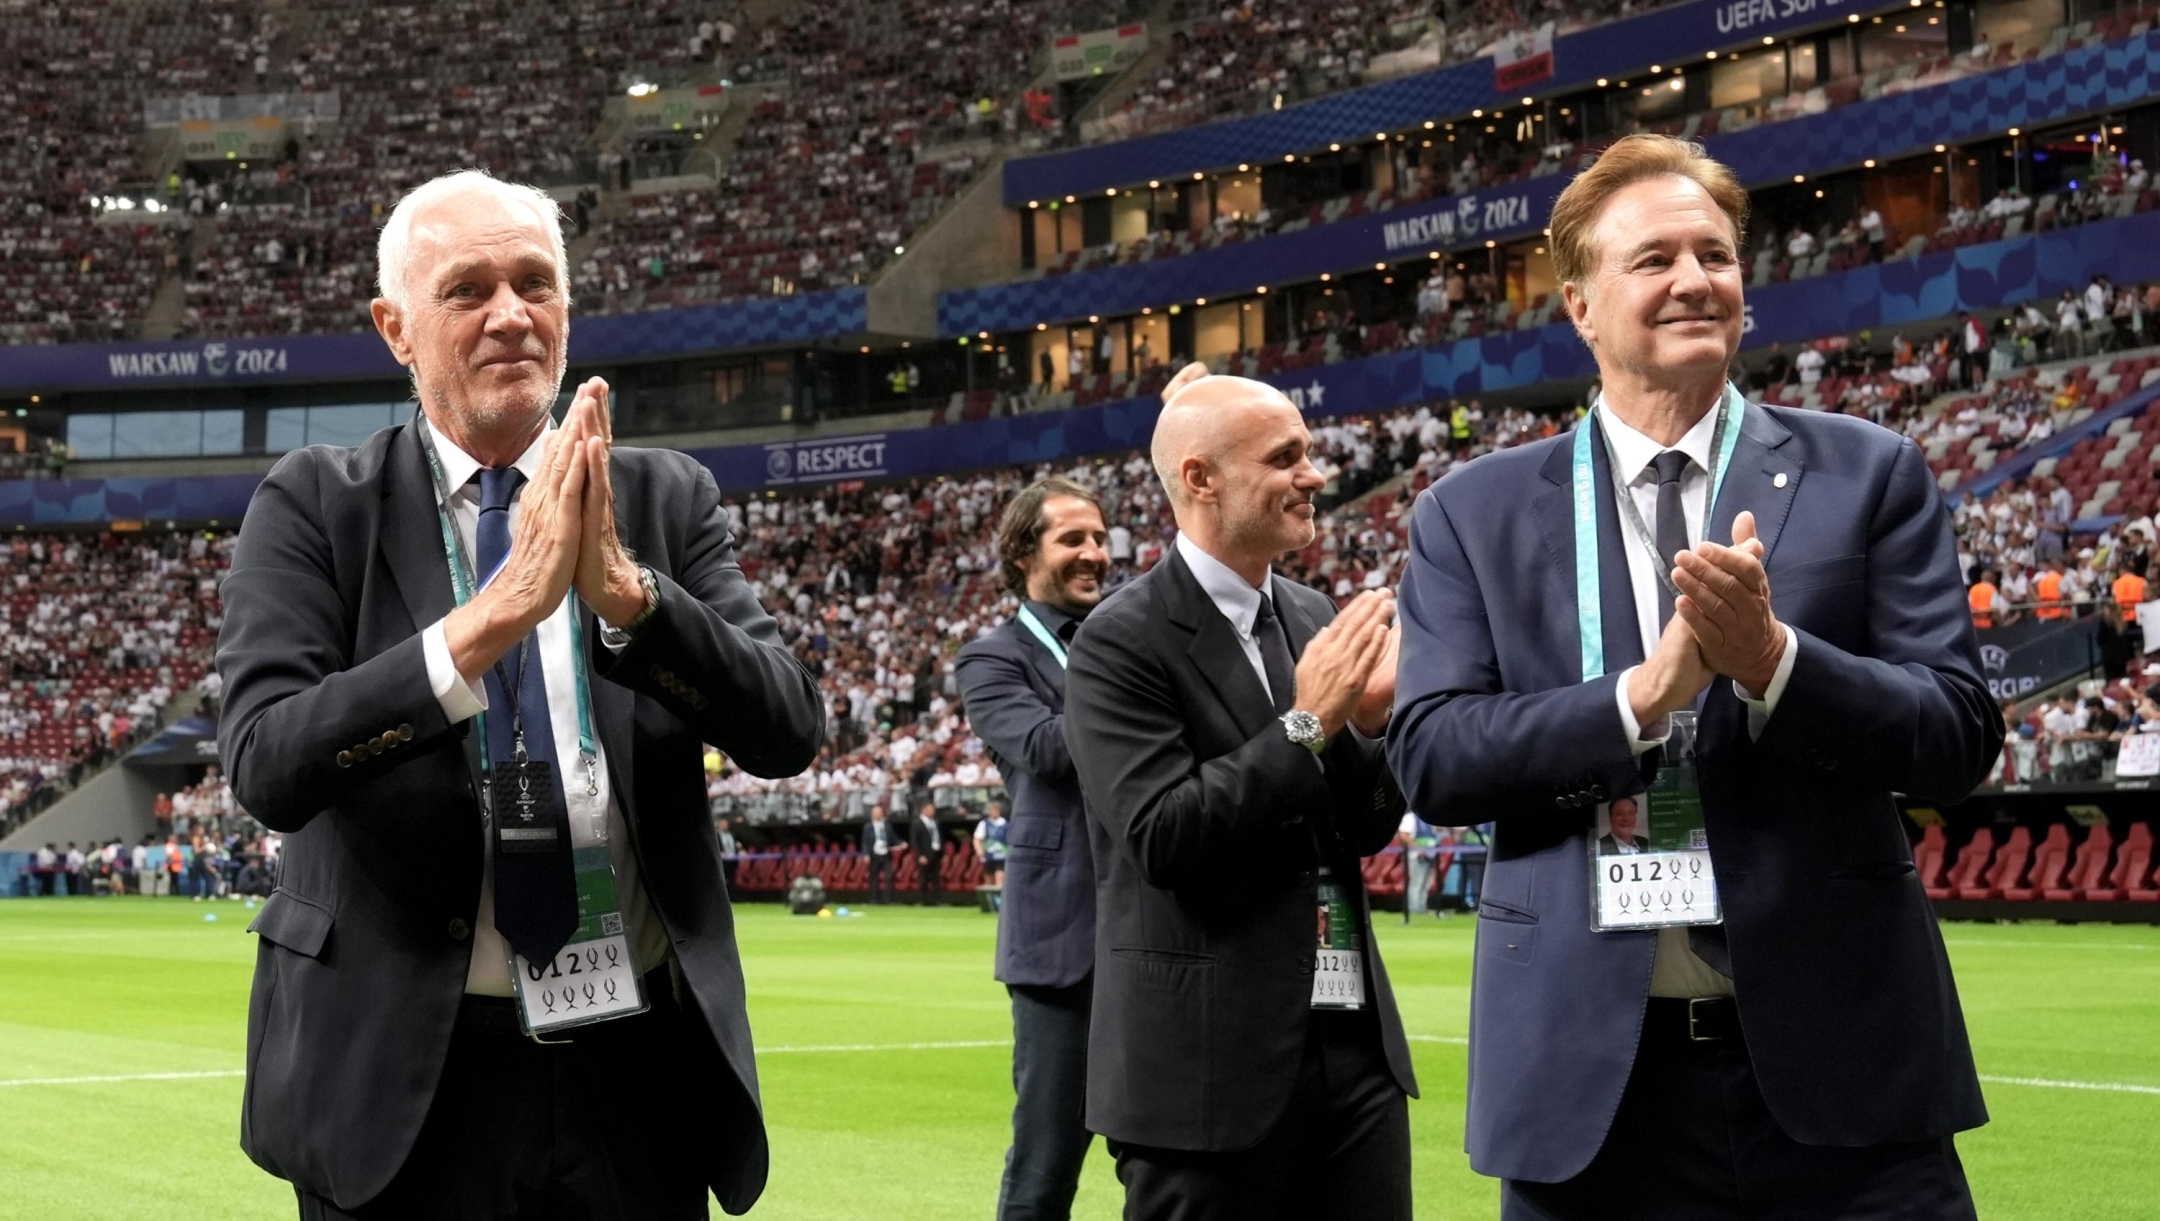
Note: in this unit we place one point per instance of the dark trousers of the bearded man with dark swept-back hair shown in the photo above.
(1042, 1168)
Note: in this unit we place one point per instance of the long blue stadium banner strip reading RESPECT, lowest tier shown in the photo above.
(1796, 312)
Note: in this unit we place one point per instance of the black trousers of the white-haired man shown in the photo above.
(604, 1127)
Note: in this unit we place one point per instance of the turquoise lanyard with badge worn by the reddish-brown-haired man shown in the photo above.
(1666, 881)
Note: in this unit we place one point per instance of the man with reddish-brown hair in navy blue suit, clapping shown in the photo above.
(1783, 585)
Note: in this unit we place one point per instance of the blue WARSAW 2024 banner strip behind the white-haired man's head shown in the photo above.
(757, 323)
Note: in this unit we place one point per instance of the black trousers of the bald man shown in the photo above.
(1342, 1149)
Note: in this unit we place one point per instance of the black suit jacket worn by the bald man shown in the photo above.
(1209, 827)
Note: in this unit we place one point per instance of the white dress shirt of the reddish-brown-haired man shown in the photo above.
(1679, 971)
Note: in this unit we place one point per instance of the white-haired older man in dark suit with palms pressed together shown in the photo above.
(500, 969)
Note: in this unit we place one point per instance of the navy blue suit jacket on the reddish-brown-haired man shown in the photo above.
(1844, 987)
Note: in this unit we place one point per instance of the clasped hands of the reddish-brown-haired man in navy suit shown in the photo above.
(1723, 626)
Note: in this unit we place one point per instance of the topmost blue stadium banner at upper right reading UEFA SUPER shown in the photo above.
(1617, 49)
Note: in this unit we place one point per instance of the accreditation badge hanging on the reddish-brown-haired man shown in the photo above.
(1649, 855)
